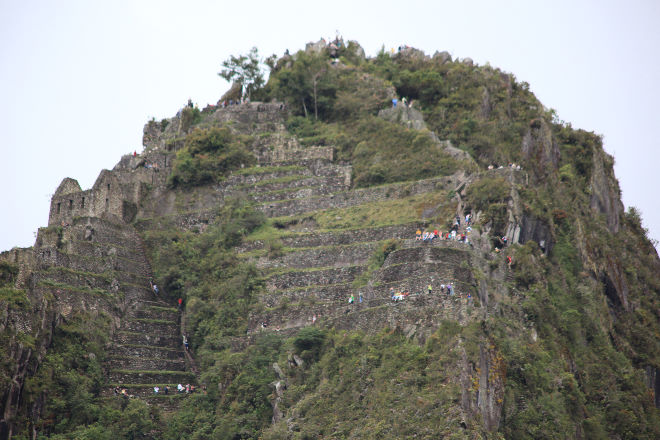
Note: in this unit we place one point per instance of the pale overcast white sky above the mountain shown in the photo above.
(79, 79)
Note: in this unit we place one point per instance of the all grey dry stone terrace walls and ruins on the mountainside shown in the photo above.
(96, 257)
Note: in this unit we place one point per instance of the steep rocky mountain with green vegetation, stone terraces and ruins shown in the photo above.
(310, 307)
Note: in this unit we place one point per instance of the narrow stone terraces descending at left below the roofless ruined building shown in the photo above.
(105, 260)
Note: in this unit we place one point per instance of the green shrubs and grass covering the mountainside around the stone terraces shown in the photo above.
(560, 346)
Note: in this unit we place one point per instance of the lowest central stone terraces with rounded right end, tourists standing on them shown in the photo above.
(296, 296)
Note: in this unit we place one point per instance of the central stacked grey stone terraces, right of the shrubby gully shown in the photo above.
(319, 269)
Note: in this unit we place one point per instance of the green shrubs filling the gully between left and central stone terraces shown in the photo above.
(203, 270)
